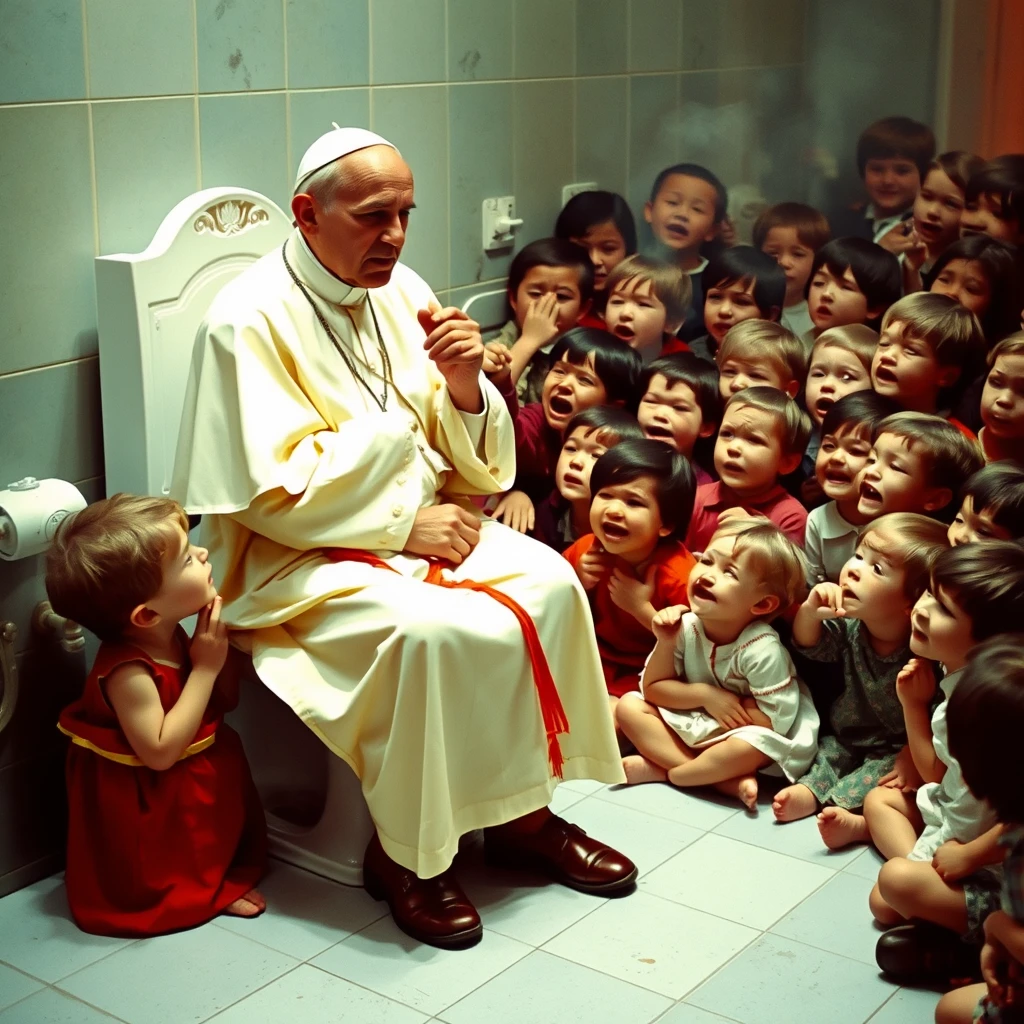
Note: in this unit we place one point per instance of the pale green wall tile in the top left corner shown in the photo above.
(41, 51)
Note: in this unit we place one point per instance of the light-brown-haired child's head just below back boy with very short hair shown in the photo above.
(646, 303)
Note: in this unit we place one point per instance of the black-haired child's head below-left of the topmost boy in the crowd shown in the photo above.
(852, 282)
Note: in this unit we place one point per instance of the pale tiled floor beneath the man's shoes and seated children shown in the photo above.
(736, 920)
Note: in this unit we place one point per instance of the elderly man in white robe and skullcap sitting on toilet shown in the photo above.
(336, 425)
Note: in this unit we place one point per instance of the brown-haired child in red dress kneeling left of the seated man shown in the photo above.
(165, 827)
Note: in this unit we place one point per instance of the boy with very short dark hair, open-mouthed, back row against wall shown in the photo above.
(687, 210)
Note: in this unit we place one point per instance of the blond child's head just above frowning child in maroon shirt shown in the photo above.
(761, 354)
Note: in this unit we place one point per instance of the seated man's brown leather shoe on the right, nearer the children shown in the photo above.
(566, 854)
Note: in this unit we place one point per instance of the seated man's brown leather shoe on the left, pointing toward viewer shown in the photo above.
(433, 911)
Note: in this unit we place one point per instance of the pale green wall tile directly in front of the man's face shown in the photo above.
(416, 121)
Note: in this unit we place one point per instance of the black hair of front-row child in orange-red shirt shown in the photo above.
(675, 487)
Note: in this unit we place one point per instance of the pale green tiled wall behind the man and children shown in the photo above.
(111, 112)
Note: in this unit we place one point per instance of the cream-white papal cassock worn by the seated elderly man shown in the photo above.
(428, 693)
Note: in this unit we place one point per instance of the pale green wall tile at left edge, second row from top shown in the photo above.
(47, 280)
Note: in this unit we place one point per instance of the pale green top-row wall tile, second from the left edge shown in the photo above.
(143, 49)
